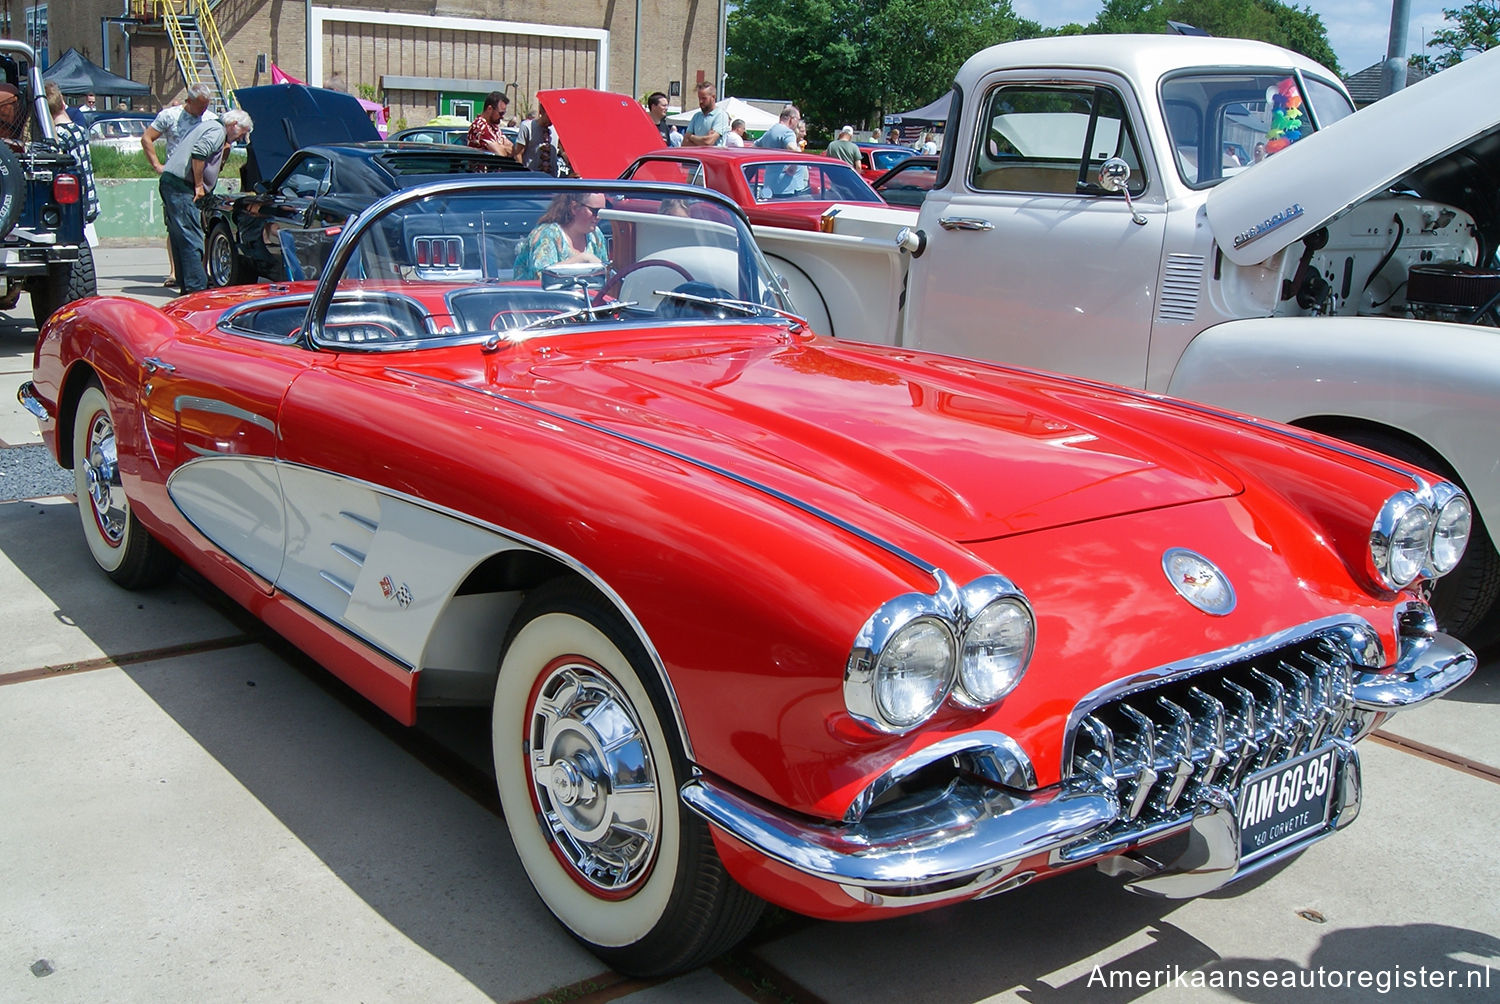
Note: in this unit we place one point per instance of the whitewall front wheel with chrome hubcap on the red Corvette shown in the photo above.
(589, 781)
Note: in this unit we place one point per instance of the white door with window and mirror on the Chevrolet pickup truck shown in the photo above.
(1028, 260)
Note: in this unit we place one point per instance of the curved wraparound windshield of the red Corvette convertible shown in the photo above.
(478, 260)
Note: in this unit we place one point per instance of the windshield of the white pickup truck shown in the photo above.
(1226, 122)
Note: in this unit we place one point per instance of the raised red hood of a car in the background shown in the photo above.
(602, 133)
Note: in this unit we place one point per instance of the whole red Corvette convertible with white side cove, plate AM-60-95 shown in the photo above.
(760, 615)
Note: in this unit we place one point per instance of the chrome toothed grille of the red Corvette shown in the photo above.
(1159, 745)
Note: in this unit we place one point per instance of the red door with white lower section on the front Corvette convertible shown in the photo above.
(212, 404)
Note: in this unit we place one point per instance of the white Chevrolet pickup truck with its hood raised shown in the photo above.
(1346, 281)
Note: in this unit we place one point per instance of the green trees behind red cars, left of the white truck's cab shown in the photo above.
(847, 61)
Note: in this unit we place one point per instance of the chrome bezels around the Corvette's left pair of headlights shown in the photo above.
(955, 610)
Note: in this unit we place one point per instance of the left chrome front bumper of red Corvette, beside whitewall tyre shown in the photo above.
(958, 847)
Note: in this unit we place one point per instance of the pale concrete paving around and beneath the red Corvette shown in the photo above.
(191, 810)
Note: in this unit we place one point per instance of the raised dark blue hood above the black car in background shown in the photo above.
(293, 116)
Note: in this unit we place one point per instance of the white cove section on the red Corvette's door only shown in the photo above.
(236, 504)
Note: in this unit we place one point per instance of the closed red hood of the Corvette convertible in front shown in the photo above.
(938, 442)
